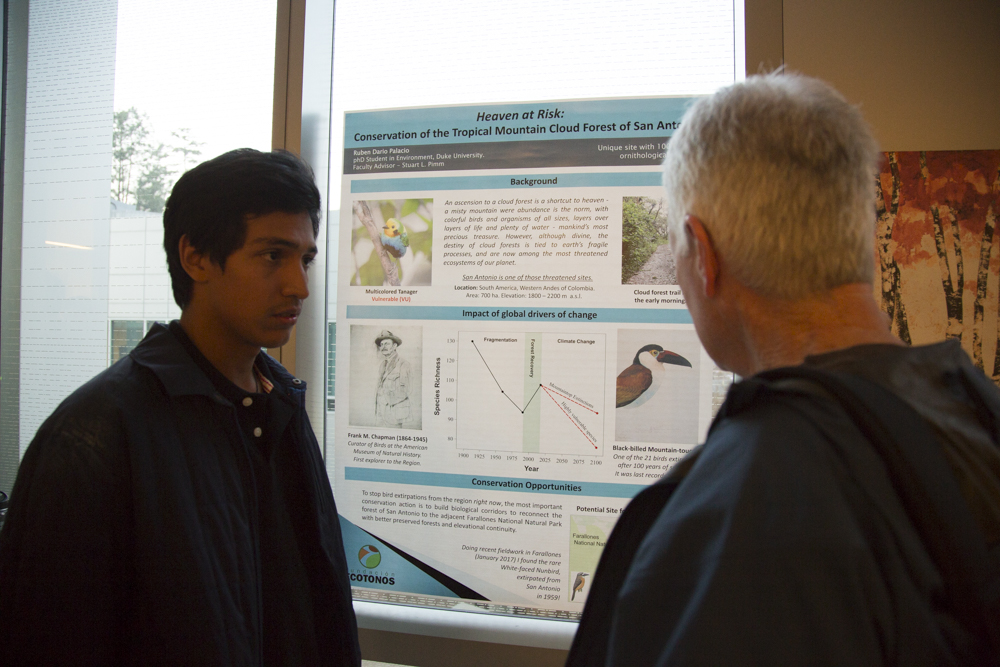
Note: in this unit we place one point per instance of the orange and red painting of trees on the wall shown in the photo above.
(937, 248)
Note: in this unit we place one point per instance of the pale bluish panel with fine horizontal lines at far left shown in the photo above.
(67, 174)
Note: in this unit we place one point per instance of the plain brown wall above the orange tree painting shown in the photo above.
(926, 73)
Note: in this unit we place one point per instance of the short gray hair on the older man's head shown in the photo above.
(781, 171)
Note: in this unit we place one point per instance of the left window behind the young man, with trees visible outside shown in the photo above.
(117, 99)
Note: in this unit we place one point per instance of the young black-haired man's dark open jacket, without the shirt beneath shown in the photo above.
(132, 535)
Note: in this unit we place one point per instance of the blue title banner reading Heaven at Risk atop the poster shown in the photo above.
(586, 119)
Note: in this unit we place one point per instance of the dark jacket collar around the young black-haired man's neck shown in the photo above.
(165, 356)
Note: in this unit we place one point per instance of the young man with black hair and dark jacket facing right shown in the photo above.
(175, 509)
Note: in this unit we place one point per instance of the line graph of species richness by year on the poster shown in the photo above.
(505, 378)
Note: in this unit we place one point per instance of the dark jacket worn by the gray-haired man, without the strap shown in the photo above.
(782, 540)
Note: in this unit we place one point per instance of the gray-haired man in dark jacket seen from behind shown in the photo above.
(784, 539)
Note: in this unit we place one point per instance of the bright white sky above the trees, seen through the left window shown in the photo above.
(204, 66)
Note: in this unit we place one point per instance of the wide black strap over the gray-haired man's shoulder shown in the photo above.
(927, 487)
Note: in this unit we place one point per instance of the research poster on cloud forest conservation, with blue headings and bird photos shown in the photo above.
(515, 361)
